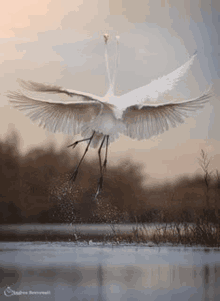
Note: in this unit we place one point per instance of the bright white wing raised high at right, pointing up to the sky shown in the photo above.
(157, 87)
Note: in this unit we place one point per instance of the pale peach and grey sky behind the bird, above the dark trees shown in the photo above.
(60, 42)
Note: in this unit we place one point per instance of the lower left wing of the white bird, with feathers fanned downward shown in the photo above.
(64, 117)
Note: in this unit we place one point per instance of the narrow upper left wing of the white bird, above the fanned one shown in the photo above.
(45, 88)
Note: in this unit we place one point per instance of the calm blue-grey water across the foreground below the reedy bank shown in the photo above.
(82, 271)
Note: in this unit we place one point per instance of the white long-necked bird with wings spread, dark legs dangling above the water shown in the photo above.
(103, 119)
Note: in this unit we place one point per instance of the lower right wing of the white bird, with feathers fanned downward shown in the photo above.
(143, 122)
